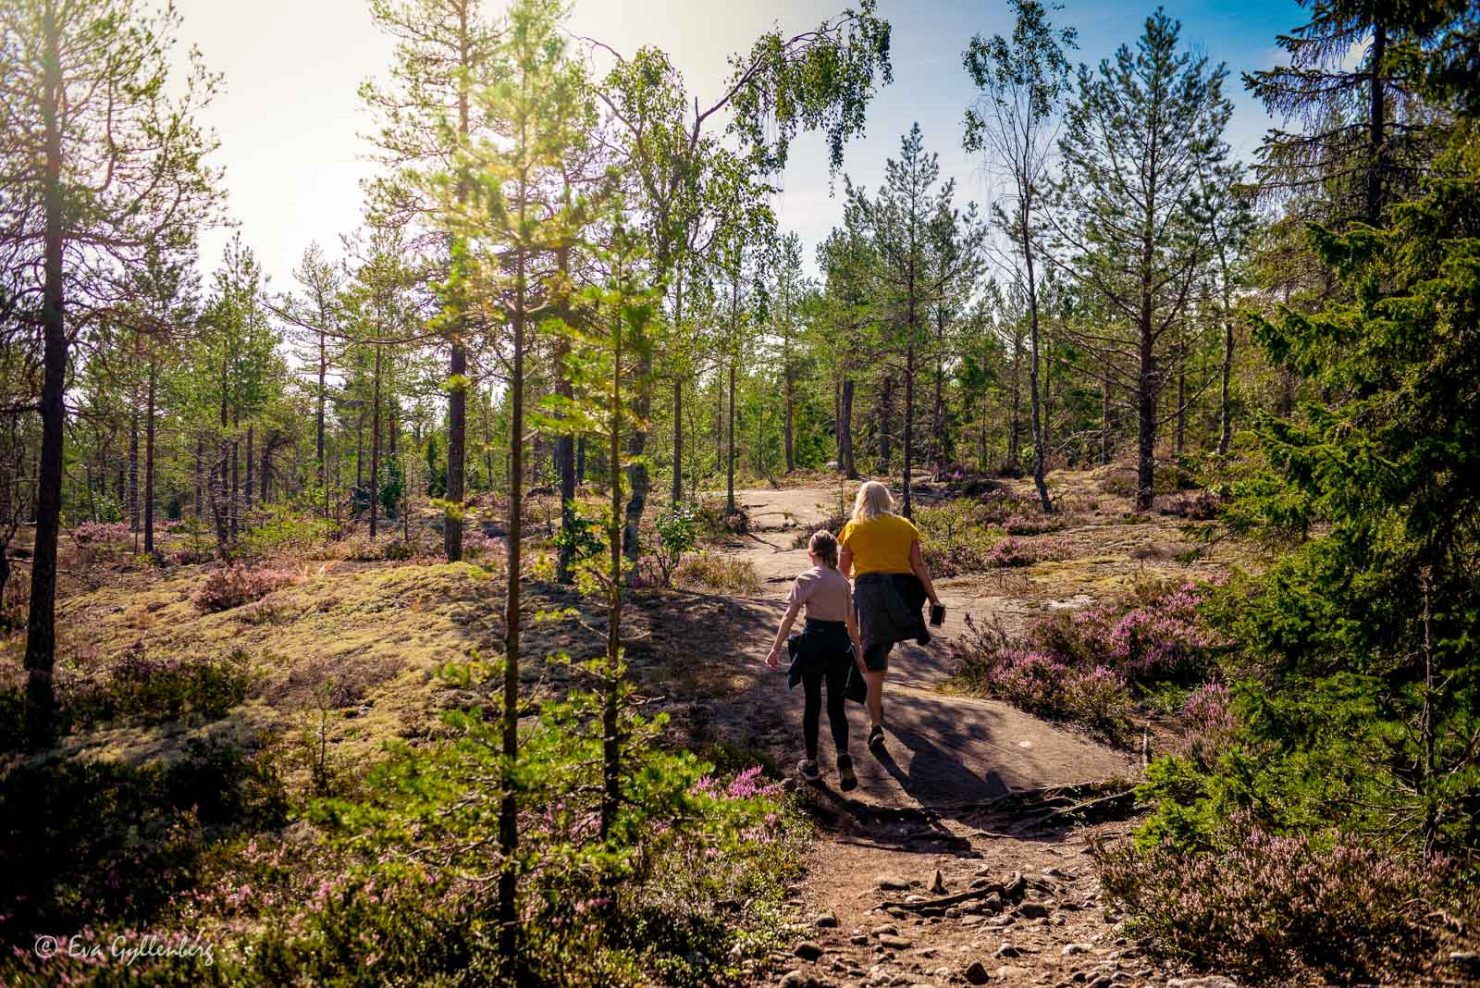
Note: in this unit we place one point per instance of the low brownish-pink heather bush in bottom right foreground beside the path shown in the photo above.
(1271, 909)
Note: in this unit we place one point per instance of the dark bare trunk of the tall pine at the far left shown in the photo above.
(41, 634)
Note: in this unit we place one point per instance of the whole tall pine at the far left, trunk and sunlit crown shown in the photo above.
(103, 163)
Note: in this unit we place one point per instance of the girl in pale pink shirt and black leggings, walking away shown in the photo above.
(825, 652)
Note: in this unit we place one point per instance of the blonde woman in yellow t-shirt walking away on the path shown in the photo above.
(881, 552)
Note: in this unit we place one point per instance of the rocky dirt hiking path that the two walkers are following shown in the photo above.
(975, 804)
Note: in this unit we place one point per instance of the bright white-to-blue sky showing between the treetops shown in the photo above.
(291, 118)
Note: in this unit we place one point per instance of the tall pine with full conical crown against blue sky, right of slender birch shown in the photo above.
(1142, 131)
